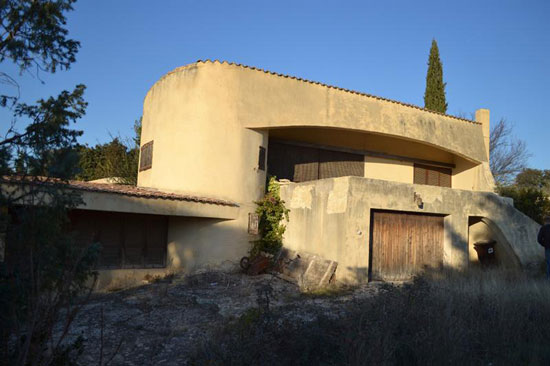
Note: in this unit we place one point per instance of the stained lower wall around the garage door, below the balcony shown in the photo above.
(331, 217)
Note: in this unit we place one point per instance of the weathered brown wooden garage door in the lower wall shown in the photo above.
(404, 243)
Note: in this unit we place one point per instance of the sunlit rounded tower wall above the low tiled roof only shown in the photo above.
(199, 145)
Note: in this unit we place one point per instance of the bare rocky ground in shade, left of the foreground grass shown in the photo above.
(161, 322)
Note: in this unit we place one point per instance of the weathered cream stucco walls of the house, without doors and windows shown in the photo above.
(208, 122)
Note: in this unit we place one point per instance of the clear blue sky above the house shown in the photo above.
(495, 54)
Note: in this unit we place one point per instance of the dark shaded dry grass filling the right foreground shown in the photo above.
(452, 318)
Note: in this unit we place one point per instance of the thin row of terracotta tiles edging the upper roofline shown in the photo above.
(327, 86)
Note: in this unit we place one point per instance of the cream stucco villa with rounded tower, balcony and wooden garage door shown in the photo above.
(383, 188)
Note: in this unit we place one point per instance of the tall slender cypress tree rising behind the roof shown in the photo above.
(434, 96)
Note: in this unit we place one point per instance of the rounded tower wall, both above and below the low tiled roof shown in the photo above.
(201, 148)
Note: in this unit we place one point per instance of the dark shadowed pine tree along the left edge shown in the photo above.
(44, 272)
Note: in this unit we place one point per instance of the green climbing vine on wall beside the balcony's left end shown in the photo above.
(272, 214)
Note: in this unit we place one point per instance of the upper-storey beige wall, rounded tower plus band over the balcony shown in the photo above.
(208, 119)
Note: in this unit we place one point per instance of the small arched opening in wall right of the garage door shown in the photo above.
(487, 245)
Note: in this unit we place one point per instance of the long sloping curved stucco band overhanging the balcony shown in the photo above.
(261, 99)
